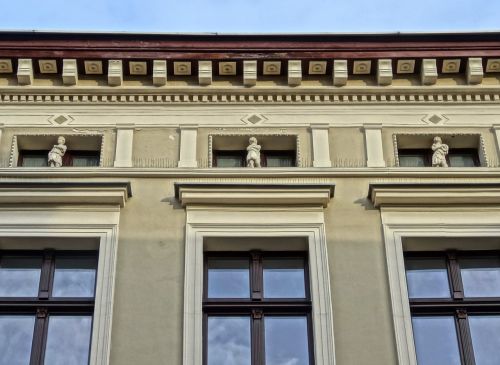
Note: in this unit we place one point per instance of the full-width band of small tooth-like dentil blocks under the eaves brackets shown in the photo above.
(488, 95)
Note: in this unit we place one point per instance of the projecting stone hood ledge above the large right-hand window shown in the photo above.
(434, 194)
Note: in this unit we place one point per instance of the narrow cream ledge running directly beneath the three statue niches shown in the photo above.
(381, 174)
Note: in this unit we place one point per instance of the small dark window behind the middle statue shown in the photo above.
(267, 158)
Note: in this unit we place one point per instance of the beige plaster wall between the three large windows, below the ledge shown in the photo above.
(147, 324)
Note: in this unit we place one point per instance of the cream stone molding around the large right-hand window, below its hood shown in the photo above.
(424, 223)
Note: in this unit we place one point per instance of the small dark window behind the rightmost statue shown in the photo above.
(457, 157)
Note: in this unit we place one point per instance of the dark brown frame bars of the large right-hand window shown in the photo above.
(457, 305)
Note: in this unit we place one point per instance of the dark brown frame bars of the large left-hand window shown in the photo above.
(44, 304)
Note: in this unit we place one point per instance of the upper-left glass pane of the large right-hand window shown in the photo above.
(427, 278)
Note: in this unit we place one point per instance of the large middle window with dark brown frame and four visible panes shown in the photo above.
(257, 309)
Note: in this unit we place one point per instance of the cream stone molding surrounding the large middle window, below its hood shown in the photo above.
(260, 222)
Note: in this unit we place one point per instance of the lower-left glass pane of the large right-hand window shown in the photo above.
(436, 340)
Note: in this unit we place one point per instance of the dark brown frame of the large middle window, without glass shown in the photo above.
(256, 305)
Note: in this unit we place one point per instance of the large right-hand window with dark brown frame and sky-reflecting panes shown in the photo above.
(455, 306)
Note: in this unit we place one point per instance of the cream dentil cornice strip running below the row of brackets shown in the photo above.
(236, 96)
